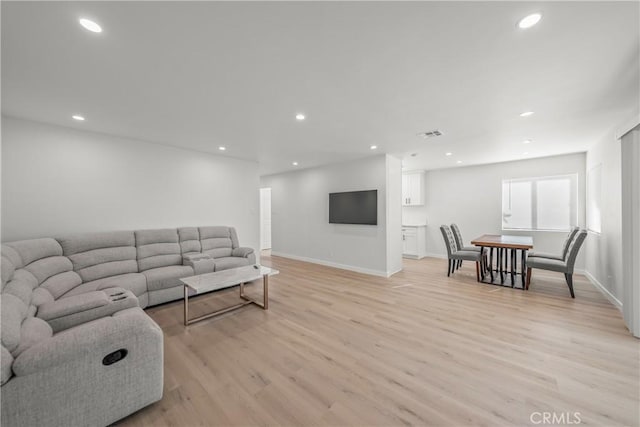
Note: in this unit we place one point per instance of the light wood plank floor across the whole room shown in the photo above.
(341, 348)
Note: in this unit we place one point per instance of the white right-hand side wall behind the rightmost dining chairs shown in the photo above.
(603, 251)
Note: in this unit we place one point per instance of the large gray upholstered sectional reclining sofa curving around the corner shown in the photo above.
(77, 348)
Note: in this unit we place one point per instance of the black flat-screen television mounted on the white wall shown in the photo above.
(354, 207)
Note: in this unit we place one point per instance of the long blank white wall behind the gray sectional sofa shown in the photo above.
(57, 180)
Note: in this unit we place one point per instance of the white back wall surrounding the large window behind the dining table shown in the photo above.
(472, 197)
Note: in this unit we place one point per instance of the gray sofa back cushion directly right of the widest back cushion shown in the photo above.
(157, 248)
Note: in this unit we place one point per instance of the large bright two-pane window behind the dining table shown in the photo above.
(544, 203)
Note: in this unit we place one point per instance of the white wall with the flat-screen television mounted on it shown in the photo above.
(300, 216)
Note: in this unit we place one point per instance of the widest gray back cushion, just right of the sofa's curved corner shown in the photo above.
(98, 255)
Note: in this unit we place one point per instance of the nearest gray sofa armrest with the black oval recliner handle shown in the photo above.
(82, 376)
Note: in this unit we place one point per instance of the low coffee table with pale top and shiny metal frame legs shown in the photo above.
(203, 283)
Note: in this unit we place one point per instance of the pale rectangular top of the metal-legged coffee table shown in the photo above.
(227, 278)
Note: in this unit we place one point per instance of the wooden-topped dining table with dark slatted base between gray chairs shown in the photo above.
(506, 248)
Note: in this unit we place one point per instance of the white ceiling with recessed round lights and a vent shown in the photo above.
(203, 74)
